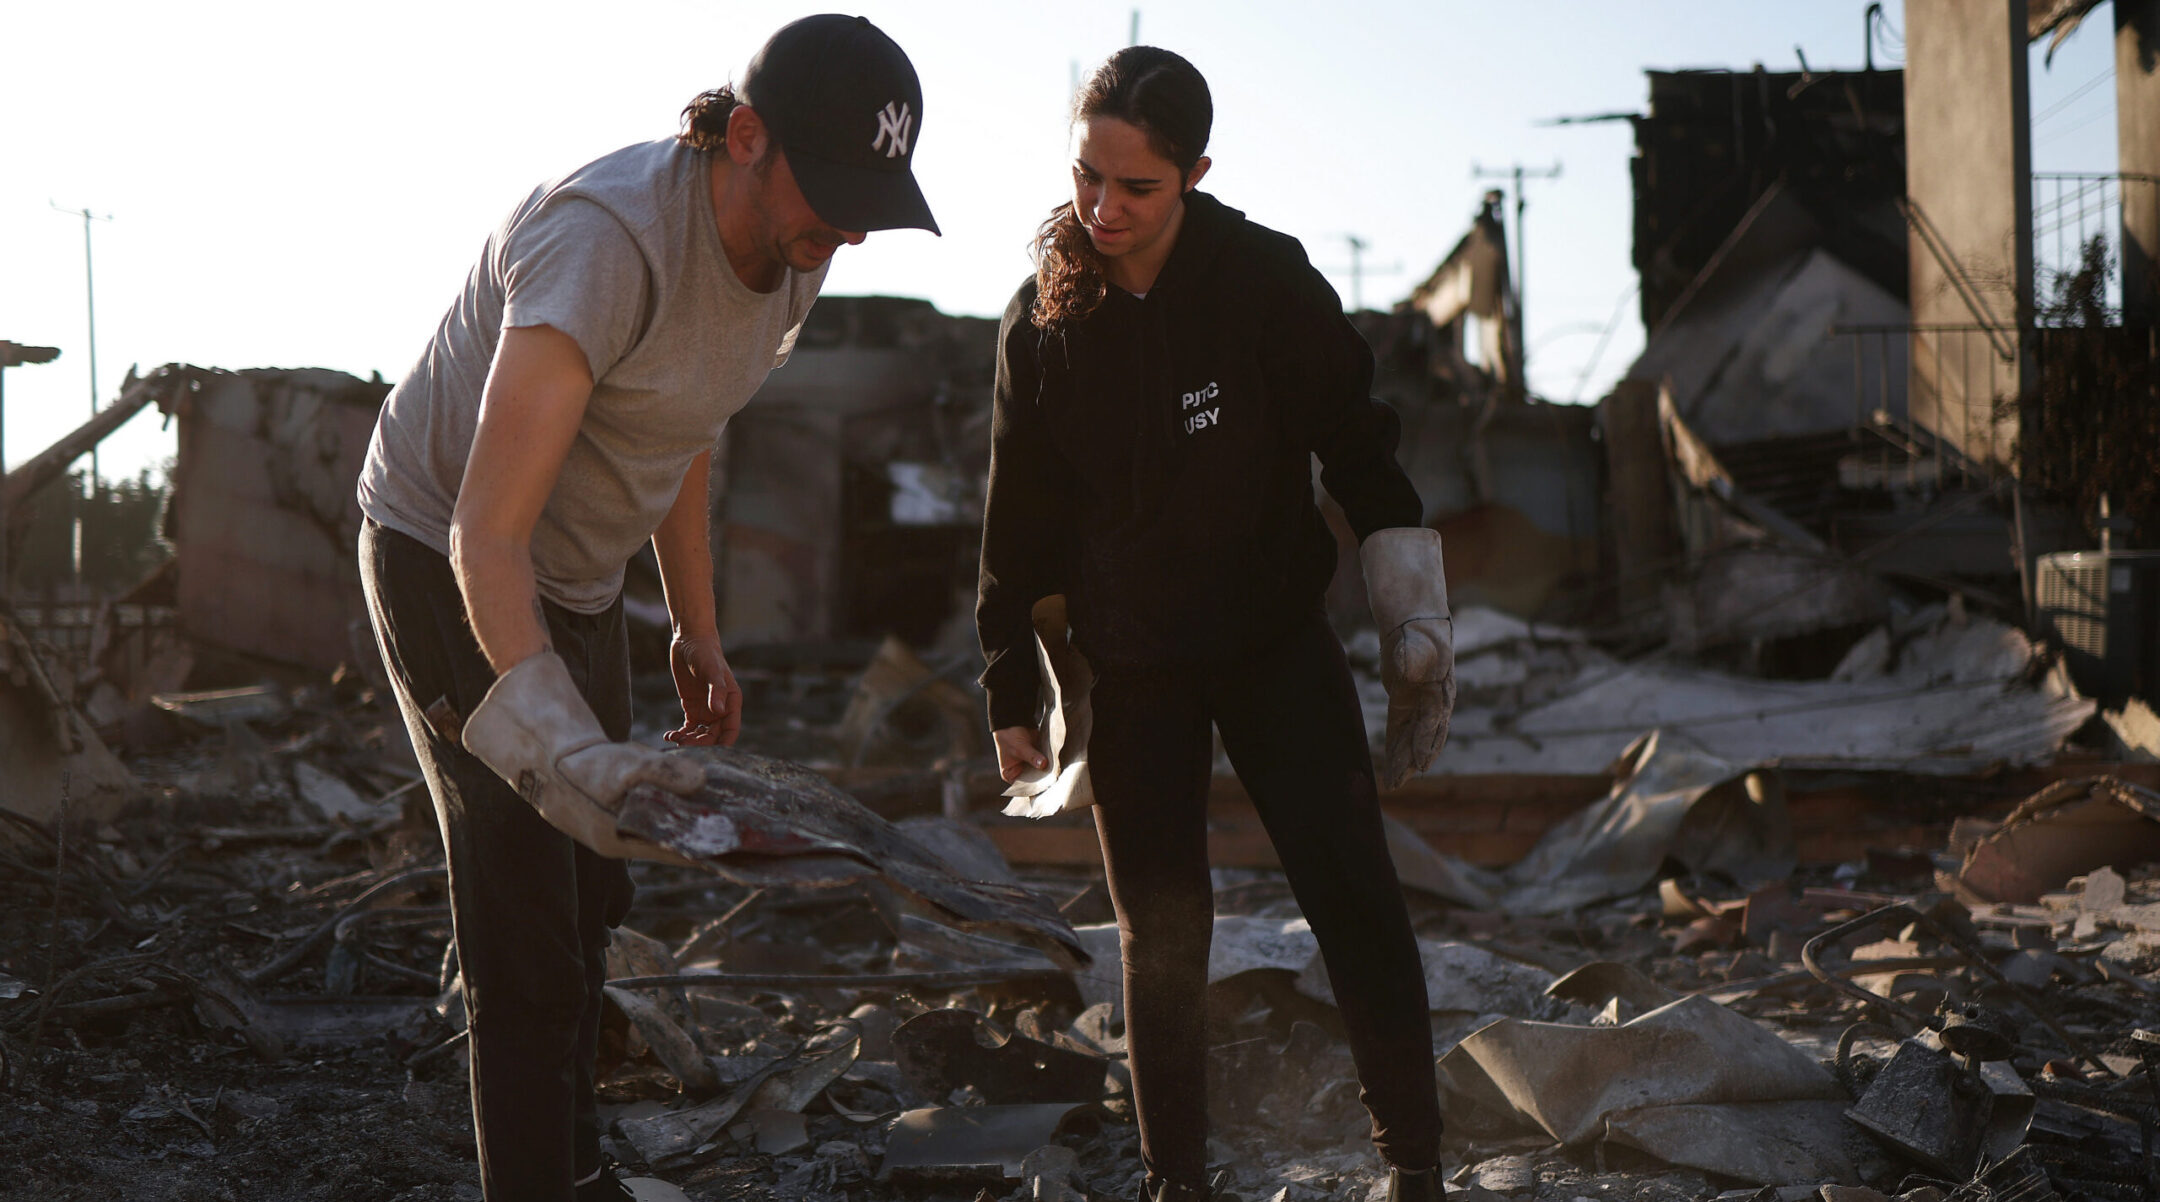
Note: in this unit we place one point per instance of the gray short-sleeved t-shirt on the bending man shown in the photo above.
(621, 256)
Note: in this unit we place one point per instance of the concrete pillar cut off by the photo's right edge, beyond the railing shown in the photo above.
(2137, 122)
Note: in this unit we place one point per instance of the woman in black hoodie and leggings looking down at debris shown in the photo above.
(1163, 384)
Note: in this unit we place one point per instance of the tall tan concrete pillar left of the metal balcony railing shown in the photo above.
(1969, 165)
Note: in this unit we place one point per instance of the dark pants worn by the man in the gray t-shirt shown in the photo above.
(528, 905)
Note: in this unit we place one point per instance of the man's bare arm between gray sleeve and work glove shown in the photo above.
(528, 418)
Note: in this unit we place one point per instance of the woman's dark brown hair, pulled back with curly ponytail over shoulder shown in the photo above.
(1165, 98)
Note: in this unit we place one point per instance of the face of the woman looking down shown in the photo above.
(1126, 196)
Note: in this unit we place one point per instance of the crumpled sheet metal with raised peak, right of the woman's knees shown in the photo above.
(1666, 801)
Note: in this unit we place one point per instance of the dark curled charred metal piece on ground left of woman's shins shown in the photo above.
(947, 1050)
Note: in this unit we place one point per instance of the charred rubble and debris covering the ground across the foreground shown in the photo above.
(241, 985)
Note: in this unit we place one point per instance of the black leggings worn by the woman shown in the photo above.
(1293, 727)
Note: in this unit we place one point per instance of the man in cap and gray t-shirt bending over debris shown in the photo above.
(565, 414)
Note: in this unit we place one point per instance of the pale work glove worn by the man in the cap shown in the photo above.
(539, 734)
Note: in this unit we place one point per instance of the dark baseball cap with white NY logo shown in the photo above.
(843, 103)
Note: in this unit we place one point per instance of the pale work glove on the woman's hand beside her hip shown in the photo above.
(1418, 645)
